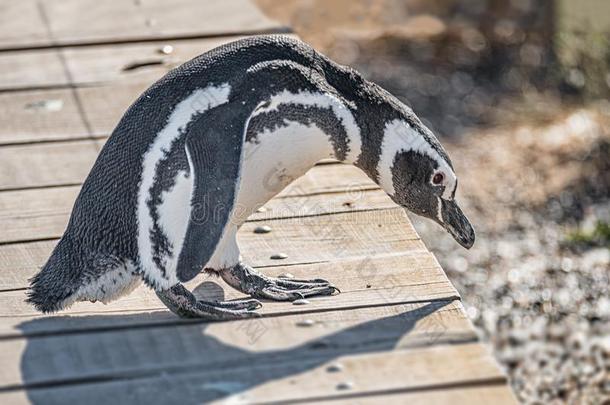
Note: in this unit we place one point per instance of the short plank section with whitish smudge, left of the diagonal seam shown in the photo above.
(33, 116)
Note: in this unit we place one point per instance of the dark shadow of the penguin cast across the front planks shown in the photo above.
(182, 361)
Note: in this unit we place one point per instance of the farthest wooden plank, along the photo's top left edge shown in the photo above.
(30, 24)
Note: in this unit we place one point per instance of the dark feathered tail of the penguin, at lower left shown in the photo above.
(54, 287)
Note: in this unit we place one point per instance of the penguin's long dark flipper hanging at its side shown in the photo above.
(214, 149)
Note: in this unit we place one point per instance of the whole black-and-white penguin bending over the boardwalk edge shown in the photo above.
(211, 142)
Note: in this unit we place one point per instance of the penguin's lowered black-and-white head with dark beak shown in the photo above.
(417, 174)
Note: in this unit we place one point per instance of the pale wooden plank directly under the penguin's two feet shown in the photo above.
(394, 285)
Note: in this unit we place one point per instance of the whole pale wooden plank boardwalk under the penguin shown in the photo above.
(397, 333)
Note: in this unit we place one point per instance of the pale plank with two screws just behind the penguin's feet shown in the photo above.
(390, 230)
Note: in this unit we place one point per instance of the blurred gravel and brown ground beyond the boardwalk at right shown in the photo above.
(517, 91)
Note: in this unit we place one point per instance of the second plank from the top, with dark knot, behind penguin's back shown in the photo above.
(107, 66)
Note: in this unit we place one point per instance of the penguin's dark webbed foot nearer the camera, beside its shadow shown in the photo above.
(184, 304)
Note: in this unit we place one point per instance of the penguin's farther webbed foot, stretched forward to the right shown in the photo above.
(249, 281)
